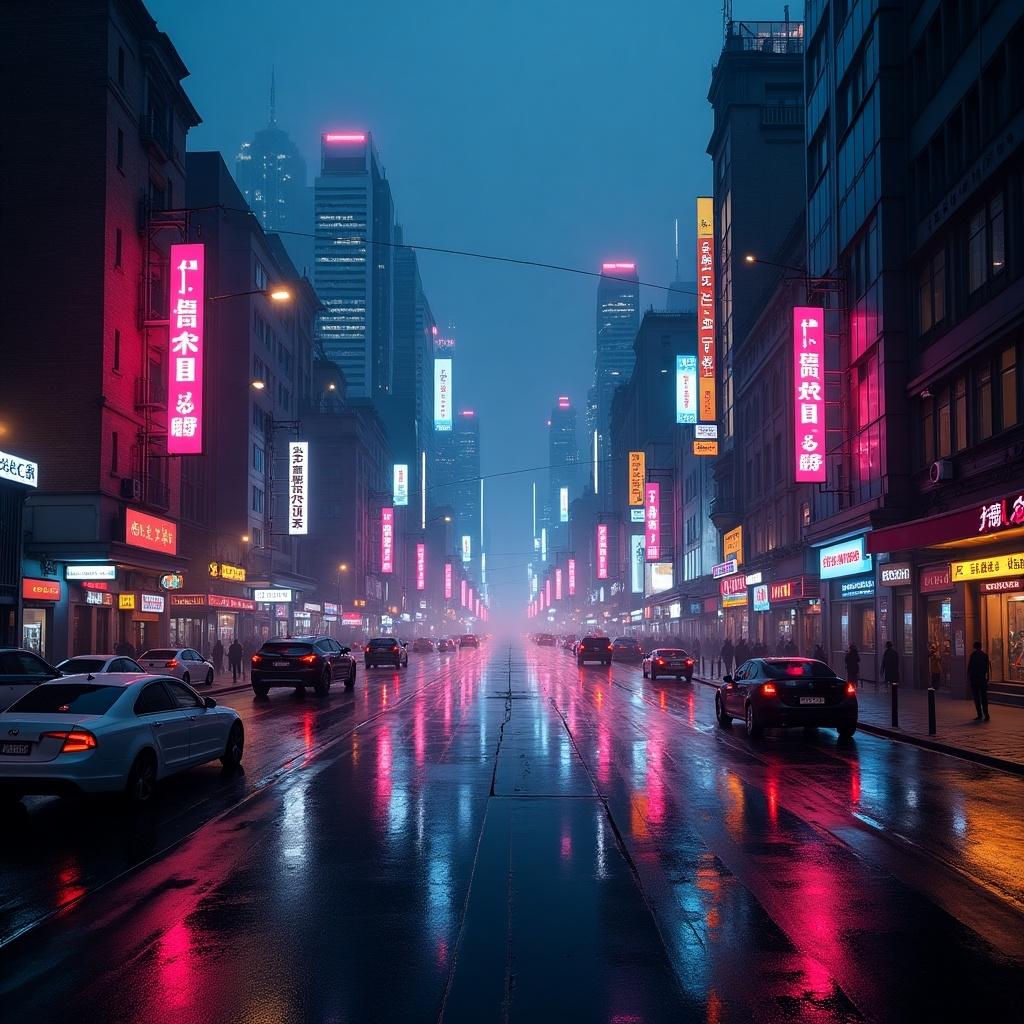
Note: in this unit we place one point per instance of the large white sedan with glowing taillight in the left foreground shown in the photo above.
(119, 734)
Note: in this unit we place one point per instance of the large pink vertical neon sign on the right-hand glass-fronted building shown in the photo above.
(808, 392)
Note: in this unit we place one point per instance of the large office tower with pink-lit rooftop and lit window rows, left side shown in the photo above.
(355, 263)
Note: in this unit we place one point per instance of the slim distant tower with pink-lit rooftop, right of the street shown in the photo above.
(618, 320)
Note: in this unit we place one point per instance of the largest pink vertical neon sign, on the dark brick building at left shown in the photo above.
(185, 417)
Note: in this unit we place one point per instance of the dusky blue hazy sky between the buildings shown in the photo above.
(565, 133)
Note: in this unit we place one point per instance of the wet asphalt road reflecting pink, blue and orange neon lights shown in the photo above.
(498, 836)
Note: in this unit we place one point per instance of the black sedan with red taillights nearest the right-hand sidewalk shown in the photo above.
(787, 692)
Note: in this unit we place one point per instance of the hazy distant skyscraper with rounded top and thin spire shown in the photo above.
(272, 176)
